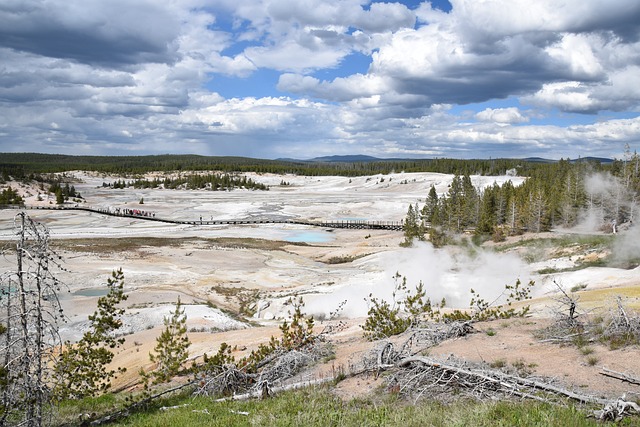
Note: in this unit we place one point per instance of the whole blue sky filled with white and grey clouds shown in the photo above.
(305, 78)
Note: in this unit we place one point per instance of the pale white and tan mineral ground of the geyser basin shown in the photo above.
(200, 272)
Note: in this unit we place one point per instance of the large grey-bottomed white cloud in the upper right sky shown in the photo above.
(487, 50)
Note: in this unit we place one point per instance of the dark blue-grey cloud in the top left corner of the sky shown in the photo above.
(111, 33)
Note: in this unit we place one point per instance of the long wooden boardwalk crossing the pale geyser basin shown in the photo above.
(348, 224)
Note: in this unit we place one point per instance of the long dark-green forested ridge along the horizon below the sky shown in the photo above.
(22, 165)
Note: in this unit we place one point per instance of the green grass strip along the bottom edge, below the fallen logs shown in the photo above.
(318, 407)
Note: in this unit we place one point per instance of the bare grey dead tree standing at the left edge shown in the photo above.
(29, 315)
